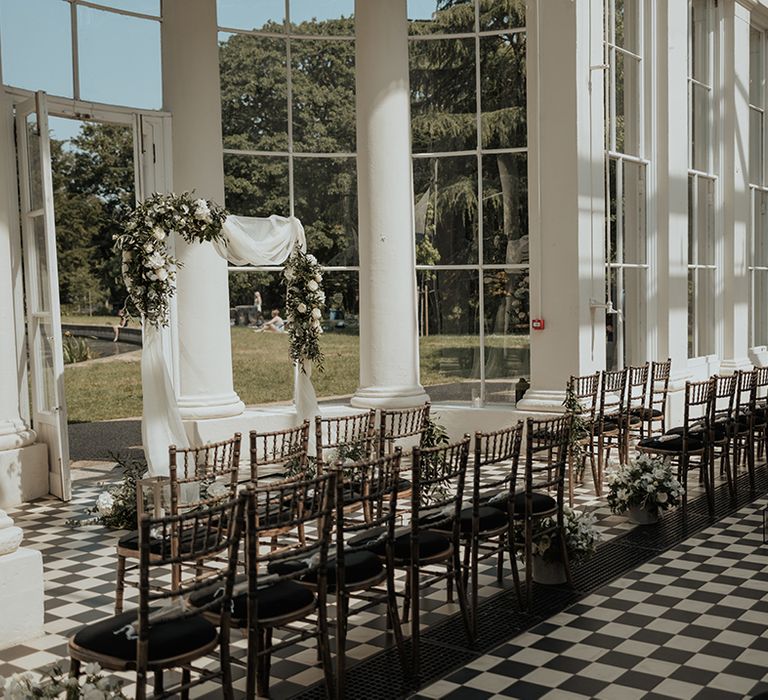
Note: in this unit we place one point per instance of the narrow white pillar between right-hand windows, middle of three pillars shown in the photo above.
(671, 195)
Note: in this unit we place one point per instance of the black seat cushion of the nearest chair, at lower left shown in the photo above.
(166, 639)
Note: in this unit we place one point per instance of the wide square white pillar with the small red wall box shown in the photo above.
(566, 195)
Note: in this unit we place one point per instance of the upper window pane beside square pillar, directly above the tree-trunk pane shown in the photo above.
(503, 90)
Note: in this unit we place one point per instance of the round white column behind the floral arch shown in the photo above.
(191, 94)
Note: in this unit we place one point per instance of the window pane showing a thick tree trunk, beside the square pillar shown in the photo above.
(505, 208)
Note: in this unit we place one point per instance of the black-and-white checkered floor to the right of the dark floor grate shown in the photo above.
(691, 623)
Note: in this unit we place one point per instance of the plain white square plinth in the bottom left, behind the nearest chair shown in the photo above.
(21, 596)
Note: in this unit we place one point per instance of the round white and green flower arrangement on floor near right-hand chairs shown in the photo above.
(644, 488)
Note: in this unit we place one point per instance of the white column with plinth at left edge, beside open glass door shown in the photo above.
(23, 464)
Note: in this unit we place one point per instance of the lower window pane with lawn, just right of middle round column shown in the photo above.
(448, 325)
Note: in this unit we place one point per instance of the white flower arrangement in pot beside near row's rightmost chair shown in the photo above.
(581, 538)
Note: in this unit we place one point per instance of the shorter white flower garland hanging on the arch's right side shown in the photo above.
(304, 303)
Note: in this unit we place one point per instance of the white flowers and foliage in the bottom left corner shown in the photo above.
(53, 682)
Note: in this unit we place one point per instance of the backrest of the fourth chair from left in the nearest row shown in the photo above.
(438, 479)
